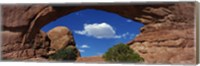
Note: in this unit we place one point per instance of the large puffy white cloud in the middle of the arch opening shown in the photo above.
(98, 30)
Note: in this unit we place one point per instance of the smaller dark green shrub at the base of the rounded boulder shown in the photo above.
(66, 54)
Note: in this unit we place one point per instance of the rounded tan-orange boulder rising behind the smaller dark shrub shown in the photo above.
(60, 37)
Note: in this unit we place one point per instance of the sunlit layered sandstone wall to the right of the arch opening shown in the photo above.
(168, 38)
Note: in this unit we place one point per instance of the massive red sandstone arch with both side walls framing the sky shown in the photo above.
(167, 35)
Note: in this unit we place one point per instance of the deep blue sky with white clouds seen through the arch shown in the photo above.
(95, 31)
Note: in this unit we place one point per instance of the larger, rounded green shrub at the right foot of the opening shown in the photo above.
(121, 53)
